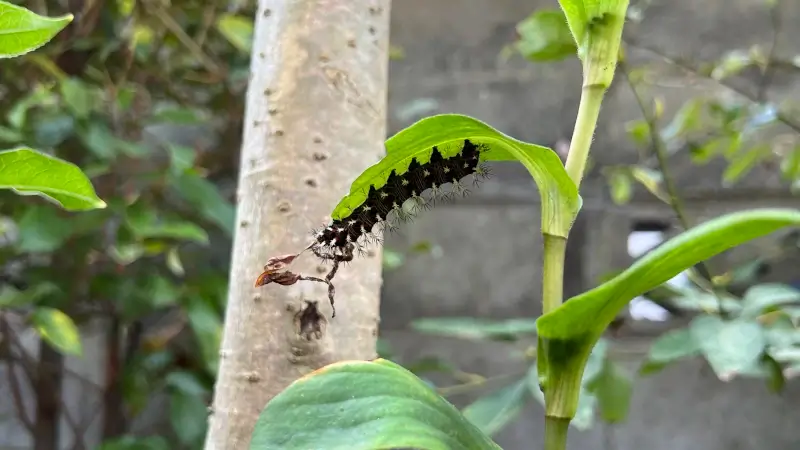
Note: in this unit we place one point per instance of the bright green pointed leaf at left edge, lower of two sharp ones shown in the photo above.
(29, 172)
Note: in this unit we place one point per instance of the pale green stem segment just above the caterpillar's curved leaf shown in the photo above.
(588, 111)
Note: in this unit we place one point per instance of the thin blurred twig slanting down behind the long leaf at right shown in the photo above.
(675, 202)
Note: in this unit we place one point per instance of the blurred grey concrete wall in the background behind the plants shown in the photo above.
(489, 263)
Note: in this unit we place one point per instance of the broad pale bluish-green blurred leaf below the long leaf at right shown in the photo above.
(731, 347)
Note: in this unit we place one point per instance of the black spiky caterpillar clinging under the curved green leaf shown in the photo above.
(338, 240)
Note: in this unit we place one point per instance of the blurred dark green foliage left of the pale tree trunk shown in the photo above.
(147, 98)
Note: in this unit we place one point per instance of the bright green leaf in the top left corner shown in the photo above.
(22, 31)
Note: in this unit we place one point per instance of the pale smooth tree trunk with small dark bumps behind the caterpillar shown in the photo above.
(315, 119)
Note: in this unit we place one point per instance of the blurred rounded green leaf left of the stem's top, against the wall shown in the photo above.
(545, 36)
